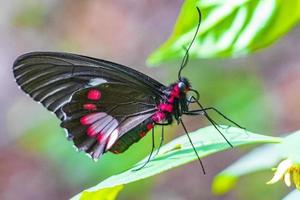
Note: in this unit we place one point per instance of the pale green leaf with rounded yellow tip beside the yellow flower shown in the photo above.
(261, 158)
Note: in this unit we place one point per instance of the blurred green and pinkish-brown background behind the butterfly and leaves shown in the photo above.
(259, 92)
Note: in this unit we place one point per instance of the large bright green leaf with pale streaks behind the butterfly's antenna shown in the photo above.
(228, 28)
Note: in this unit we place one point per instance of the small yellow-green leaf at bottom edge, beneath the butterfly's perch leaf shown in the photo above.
(105, 194)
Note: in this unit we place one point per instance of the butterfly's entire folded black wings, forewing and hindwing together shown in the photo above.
(98, 101)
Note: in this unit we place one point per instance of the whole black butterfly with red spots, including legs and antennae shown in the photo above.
(104, 106)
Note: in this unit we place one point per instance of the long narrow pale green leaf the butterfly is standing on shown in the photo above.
(179, 151)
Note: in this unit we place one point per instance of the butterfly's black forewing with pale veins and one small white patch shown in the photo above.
(51, 78)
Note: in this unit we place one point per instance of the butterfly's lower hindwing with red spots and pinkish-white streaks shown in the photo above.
(97, 117)
